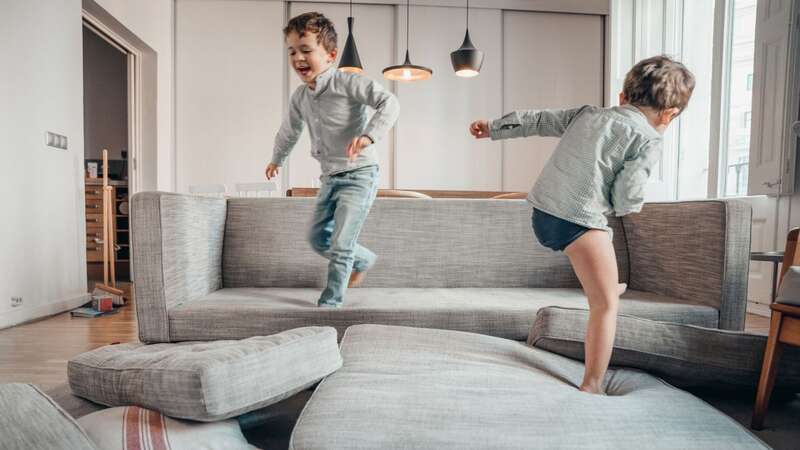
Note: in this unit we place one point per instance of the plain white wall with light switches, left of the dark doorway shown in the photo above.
(42, 259)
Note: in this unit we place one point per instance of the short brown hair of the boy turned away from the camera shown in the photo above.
(660, 83)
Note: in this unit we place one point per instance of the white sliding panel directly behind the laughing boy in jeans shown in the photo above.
(373, 30)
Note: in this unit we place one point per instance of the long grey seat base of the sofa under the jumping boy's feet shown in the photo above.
(502, 312)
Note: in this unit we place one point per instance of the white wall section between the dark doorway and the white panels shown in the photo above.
(152, 21)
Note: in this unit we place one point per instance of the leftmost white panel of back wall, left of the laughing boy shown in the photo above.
(229, 96)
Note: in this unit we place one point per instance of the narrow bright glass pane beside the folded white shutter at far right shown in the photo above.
(737, 97)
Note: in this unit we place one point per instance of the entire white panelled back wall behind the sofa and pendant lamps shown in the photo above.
(231, 62)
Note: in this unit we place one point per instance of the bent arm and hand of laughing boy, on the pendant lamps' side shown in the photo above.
(387, 110)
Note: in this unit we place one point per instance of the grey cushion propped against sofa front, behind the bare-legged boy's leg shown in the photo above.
(684, 355)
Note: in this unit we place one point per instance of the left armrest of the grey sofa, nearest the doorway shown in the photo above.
(177, 255)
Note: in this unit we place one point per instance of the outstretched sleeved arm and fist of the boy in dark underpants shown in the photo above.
(545, 122)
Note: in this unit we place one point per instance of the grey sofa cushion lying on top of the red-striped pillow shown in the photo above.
(206, 381)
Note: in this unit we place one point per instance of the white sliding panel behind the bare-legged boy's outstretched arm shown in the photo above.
(550, 61)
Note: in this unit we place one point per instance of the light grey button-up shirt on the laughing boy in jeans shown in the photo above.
(336, 112)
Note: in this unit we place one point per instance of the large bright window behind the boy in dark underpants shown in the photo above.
(717, 122)
